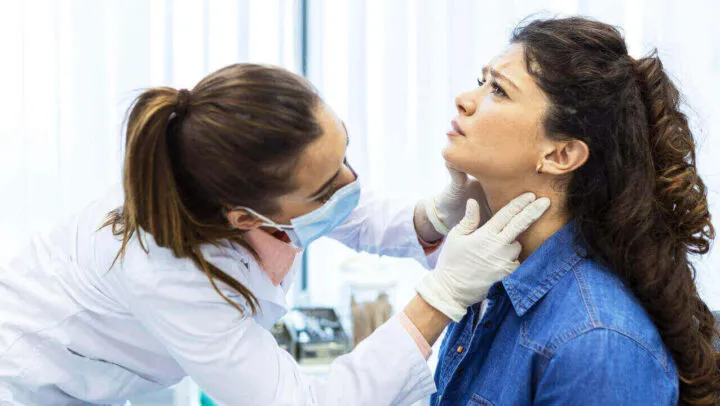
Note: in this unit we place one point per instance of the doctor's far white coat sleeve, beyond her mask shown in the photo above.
(384, 226)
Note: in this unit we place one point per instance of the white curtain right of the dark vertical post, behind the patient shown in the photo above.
(391, 69)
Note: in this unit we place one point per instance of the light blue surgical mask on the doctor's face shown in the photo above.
(320, 222)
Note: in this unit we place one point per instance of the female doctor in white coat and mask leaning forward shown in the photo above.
(183, 271)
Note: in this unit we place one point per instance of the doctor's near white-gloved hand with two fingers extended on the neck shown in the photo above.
(473, 259)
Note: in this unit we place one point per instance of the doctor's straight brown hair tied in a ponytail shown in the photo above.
(233, 140)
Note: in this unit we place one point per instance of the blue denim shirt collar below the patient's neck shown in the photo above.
(543, 269)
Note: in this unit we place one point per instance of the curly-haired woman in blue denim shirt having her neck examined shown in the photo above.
(603, 309)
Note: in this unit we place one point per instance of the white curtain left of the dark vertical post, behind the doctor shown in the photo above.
(70, 69)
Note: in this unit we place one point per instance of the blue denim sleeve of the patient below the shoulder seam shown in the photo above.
(605, 367)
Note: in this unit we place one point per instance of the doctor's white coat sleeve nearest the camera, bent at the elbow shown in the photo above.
(237, 362)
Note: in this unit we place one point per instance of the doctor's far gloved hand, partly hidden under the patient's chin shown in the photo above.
(446, 209)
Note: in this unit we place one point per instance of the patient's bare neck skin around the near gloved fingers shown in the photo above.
(553, 220)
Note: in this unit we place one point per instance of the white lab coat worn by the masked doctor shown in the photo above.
(75, 330)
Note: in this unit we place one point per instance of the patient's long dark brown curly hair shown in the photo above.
(638, 201)
